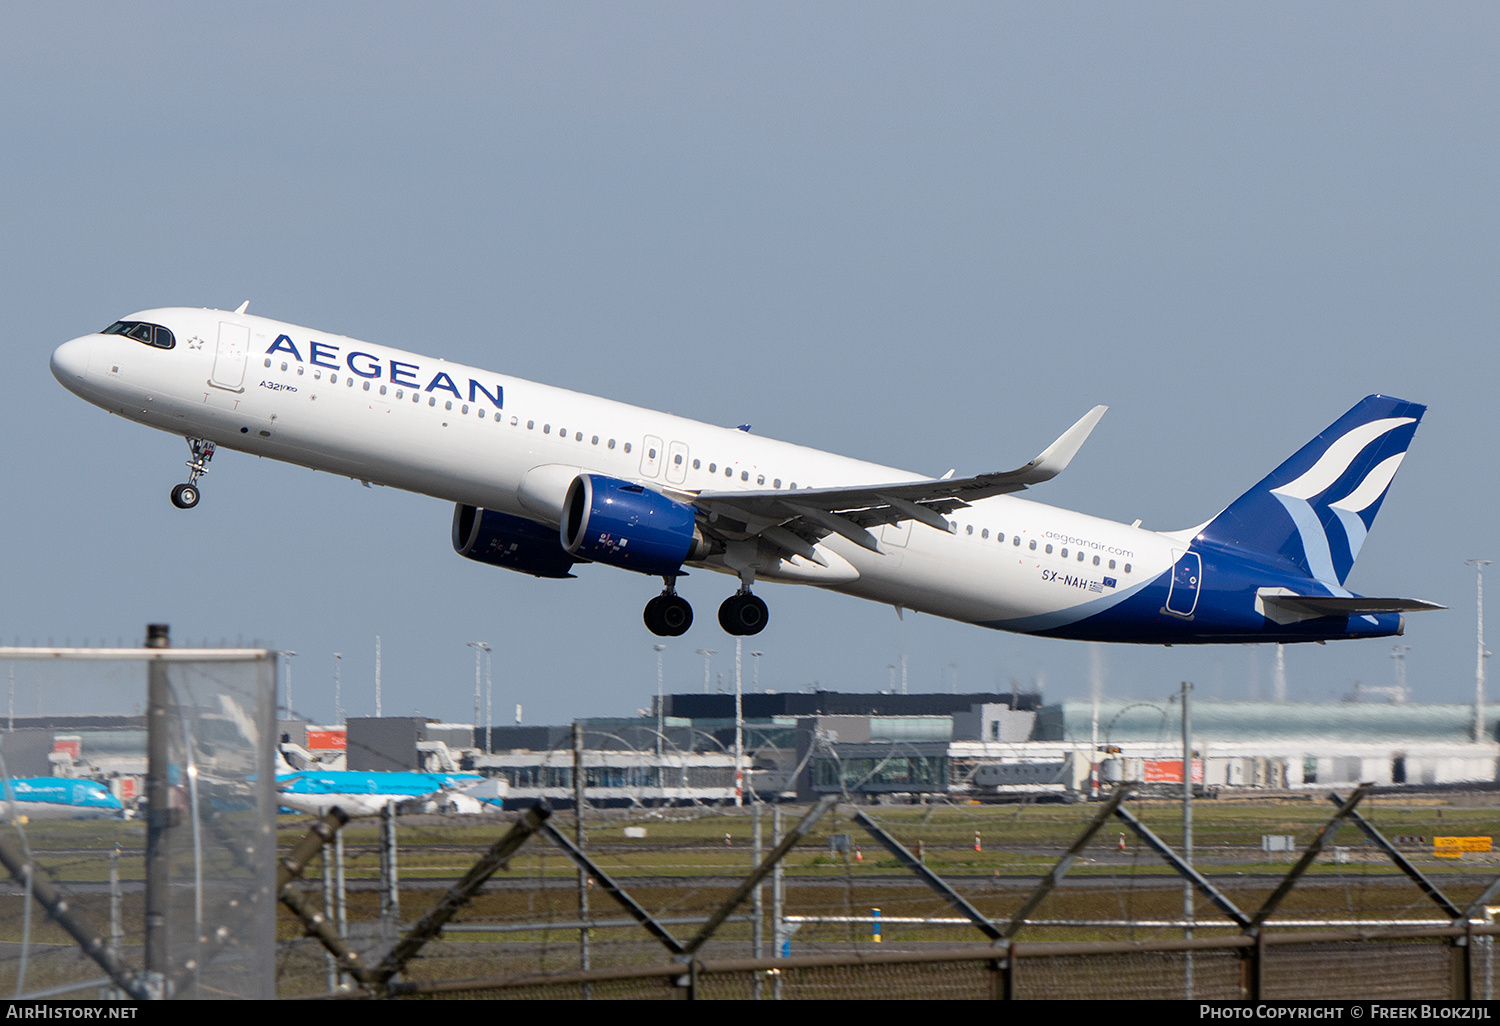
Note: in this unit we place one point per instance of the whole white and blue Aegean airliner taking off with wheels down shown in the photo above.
(545, 479)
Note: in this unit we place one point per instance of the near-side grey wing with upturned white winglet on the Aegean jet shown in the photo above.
(796, 521)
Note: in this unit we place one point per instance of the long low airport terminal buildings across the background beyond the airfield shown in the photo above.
(875, 748)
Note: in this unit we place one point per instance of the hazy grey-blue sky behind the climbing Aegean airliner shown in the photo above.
(923, 235)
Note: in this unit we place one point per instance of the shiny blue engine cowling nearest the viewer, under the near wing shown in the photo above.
(629, 526)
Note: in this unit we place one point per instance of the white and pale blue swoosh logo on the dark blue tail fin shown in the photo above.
(1313, 508)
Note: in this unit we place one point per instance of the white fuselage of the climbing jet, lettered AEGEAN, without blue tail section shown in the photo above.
(488, 440)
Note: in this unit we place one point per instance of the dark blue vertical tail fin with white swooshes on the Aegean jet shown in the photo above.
(1316, 509)
